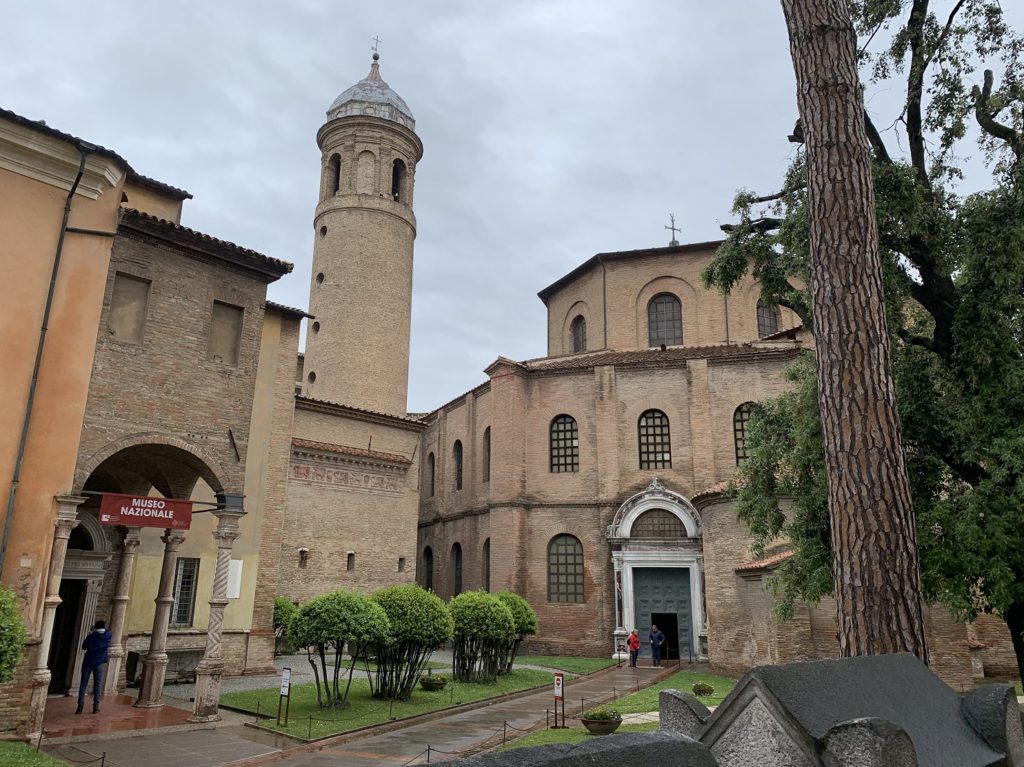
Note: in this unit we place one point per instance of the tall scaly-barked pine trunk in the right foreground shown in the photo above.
(875, 553)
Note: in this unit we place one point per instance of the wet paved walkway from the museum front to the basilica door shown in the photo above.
(445, 735)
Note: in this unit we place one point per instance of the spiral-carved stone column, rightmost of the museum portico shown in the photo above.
(211, 668)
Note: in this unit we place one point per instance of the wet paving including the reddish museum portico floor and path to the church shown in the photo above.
(231, 743)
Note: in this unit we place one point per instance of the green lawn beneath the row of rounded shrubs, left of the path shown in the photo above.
(365, 711)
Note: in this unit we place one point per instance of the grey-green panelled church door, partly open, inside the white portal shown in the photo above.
(662, 596)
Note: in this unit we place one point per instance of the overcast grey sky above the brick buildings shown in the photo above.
(552, 131)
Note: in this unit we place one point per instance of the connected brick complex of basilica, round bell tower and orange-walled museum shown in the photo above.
(589, 481)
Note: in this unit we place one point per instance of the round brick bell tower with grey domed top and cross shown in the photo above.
(362, 291)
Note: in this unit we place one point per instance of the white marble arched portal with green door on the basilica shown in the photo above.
(675, 561)
